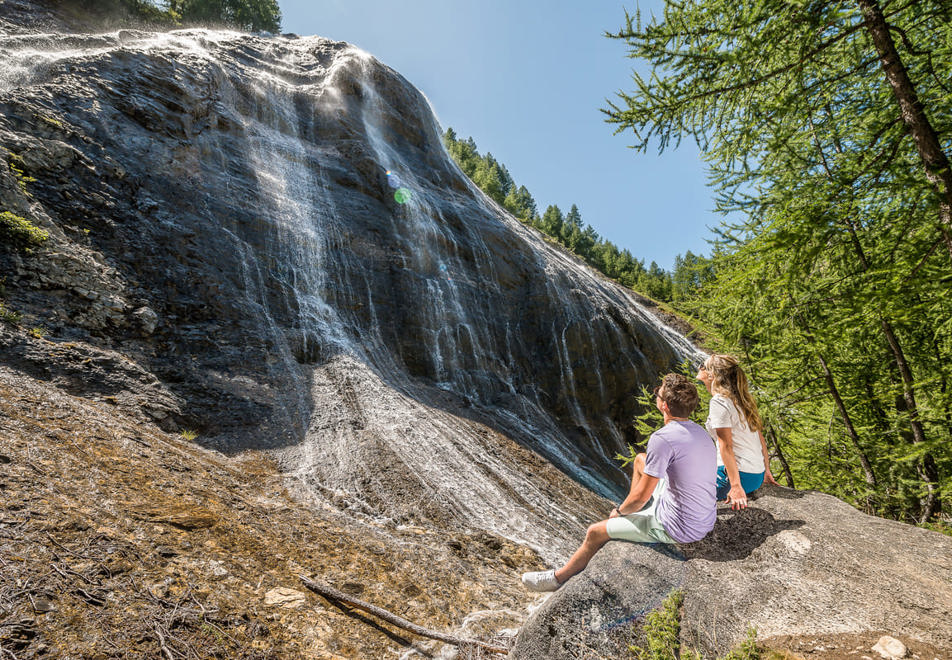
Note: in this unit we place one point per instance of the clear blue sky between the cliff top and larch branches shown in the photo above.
(526, 80)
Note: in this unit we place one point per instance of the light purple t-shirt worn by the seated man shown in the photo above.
(683, 454)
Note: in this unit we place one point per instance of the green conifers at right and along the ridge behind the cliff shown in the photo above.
(827, 127)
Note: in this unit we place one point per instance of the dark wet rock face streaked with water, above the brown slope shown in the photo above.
(220, 212)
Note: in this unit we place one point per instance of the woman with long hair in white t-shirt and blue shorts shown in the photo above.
(733, 421)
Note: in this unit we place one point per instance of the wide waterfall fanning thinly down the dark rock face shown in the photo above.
(416, 355)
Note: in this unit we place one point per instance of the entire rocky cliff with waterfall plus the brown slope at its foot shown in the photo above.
(227, 255)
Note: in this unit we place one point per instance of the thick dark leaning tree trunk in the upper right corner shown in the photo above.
(913, 115)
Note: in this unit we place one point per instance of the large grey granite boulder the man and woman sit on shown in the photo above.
(794, 563)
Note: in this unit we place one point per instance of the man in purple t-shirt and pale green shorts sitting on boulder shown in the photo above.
(679, 468)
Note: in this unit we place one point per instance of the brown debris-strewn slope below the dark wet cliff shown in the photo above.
(117, 539)
